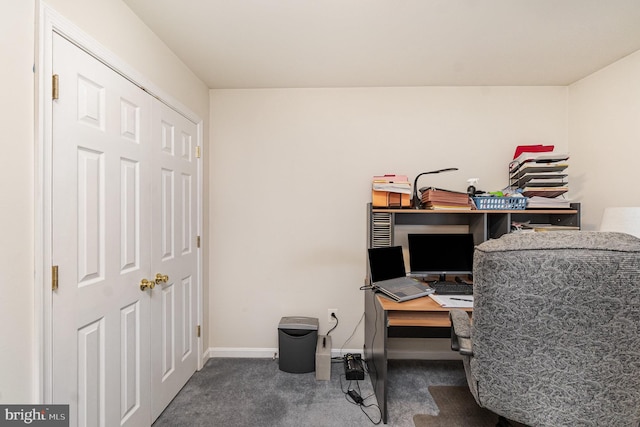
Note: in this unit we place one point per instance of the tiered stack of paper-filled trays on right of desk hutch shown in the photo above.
(539, 174)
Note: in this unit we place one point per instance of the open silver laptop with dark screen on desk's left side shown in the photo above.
(388, 275)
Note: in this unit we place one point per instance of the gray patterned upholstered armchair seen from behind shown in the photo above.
(555, 336)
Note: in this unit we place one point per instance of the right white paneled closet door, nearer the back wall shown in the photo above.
(175, 254)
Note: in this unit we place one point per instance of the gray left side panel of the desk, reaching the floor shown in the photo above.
(375, 348)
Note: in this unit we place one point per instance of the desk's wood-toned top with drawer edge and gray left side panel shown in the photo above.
(381, 313)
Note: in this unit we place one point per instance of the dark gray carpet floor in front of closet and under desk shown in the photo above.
(254, 392)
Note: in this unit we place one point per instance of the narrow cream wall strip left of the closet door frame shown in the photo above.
(16, 204)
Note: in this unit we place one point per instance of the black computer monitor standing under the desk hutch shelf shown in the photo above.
(440, 254)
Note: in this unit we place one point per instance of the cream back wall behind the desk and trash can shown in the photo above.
(291, 175)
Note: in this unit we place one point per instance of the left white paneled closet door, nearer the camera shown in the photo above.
(101, 233)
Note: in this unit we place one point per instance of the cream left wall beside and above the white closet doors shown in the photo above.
(119, 30)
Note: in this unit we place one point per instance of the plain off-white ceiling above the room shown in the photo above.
(382, 43)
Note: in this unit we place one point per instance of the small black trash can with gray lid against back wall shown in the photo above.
(297, 339)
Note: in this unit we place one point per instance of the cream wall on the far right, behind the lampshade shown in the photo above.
(604, 134)
